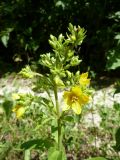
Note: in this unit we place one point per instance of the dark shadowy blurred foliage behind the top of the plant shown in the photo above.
(25, 26)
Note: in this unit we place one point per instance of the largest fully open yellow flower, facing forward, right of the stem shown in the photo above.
(74, 99)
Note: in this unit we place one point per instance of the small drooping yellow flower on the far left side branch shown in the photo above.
(19, 110)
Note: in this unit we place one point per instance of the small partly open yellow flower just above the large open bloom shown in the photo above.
(83, 79)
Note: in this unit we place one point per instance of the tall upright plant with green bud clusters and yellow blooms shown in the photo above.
(74, 86)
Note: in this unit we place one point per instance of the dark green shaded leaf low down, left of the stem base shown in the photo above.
(37, 144)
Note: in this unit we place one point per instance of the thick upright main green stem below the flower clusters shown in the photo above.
(58, 117)
